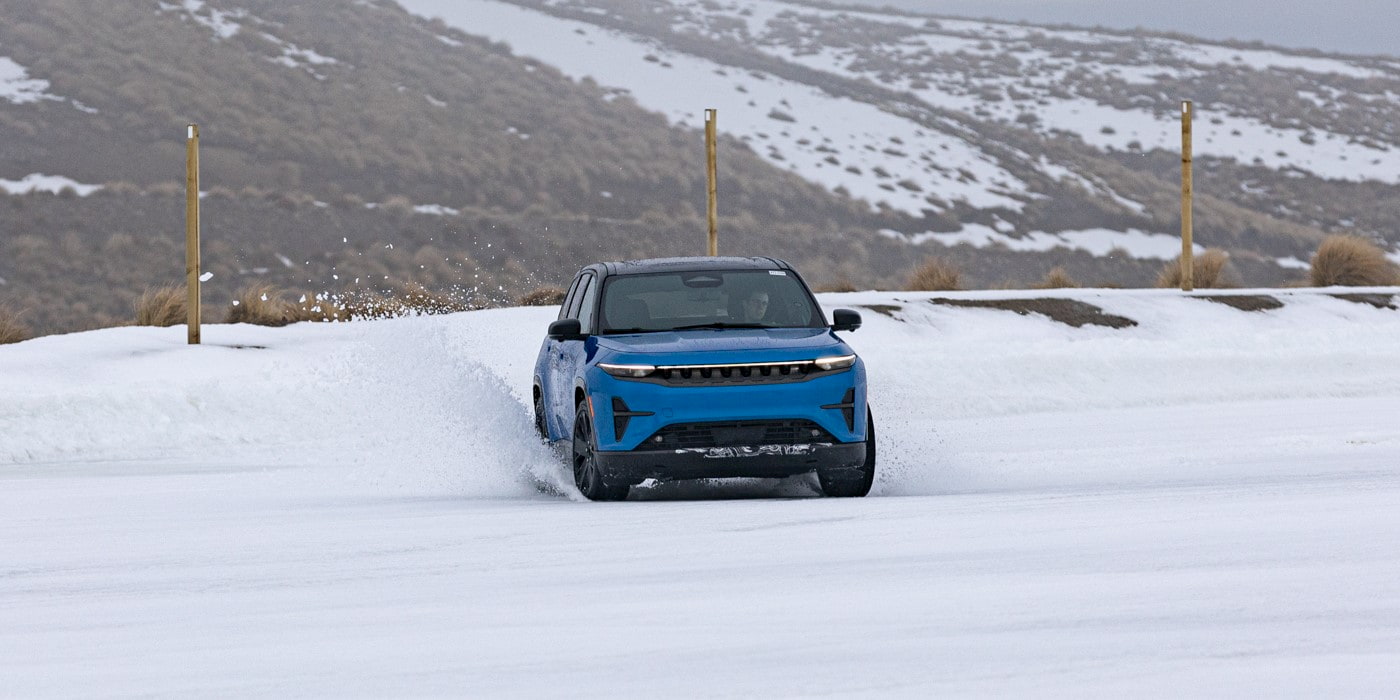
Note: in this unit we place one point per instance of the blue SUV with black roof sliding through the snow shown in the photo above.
(698, 369)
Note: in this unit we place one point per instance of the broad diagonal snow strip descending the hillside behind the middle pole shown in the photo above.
(831, 141)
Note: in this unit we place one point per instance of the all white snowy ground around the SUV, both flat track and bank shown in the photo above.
(1200, 505)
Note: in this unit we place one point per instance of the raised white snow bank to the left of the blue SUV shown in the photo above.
(393, 405)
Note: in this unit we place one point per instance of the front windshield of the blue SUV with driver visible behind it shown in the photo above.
(708, 299)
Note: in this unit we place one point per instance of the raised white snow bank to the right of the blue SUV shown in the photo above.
(986, 400)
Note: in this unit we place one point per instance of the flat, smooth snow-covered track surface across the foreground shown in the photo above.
(218, 583)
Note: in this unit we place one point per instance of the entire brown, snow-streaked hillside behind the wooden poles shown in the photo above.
(372, 149)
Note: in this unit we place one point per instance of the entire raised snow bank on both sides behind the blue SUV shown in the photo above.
(967, 398)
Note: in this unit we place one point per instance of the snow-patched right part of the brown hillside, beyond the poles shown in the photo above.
(969, 124)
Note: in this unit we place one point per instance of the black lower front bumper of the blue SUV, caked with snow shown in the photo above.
(720, 463)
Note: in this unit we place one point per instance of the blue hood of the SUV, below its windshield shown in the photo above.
(724, 346)
